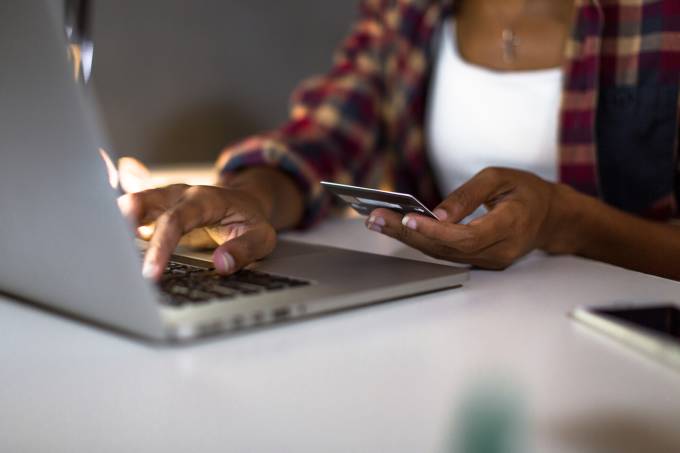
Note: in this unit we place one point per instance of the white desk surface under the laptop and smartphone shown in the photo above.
(387, 378)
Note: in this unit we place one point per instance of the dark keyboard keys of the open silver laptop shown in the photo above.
(183, 284)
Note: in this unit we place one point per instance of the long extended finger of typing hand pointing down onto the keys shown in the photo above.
(200, 206)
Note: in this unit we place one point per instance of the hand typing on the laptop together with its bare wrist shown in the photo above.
(240, 216)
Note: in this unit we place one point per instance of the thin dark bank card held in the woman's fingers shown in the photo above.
(365, 200)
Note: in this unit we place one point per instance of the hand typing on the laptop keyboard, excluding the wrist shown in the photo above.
(235, 220)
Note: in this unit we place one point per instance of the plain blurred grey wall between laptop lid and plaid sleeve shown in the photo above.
(179, 79)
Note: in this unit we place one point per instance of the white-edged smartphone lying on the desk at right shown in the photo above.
(651, 329)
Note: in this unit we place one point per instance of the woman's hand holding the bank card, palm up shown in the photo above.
(524, 213)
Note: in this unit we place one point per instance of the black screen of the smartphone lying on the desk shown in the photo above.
(663, 319)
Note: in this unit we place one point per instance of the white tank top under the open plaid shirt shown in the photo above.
(479, 118)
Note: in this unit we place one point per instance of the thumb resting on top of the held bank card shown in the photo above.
(481, 188)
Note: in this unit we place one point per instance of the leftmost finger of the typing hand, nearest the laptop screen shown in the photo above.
(142, 208)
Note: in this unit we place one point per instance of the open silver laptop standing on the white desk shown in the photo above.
(65, 246)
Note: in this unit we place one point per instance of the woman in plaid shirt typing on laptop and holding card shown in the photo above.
(559, 117)
